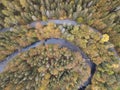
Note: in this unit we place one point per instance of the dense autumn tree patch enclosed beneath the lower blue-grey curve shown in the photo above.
(45, 67)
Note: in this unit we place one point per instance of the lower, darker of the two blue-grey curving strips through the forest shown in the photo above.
(62, 43)
